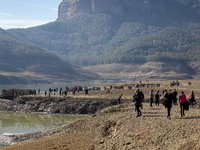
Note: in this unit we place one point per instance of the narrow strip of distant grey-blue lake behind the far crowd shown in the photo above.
(45, 87)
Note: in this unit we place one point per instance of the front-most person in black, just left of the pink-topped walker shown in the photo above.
(168, 102)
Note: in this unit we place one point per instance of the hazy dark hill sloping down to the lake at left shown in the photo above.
(27, 63)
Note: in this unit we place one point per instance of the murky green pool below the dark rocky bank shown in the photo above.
(17, 123)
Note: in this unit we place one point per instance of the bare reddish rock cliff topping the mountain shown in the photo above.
(71, 8)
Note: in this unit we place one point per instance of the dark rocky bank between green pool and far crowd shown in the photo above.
(55, 105)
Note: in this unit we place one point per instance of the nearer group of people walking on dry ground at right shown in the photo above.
(168, 99)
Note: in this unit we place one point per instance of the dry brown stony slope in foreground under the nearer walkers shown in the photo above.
(117, 128)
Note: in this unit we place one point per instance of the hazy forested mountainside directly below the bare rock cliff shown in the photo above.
(170, 31)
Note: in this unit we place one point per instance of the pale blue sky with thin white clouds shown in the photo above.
(27, 13)
